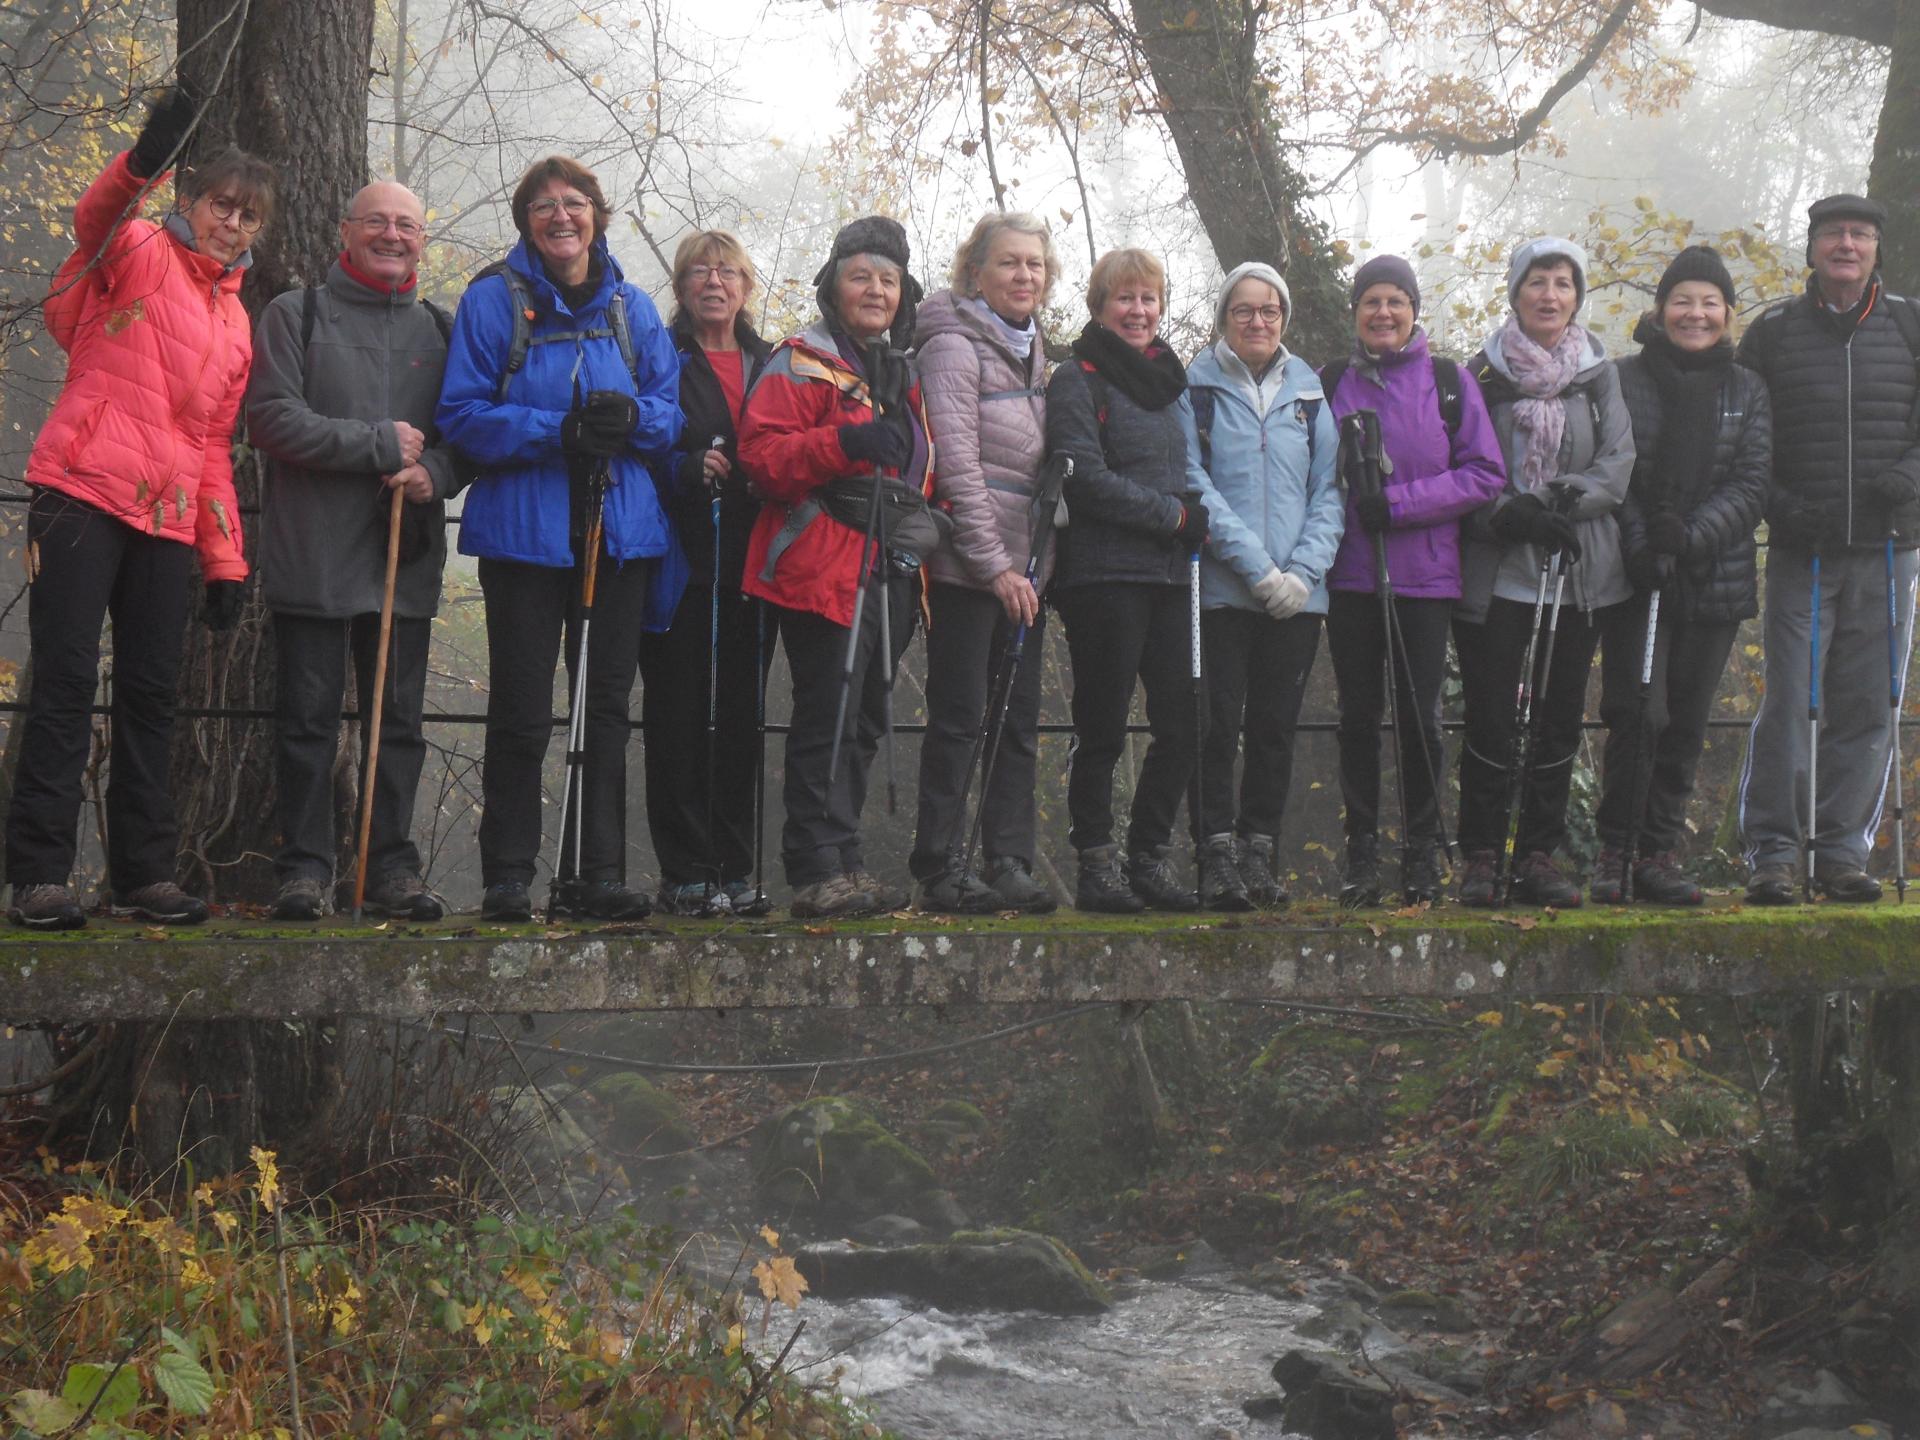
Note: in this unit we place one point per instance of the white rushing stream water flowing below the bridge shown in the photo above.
(1168, 1362)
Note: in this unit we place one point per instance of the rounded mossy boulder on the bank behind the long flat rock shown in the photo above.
(834, 1159)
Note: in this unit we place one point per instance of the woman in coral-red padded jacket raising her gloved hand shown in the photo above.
(132, 477)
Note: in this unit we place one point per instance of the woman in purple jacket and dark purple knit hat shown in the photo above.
(1445, 462)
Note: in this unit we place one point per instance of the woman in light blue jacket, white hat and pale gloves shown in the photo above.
(1266, 441)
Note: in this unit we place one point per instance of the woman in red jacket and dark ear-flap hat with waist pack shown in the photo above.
(836, 416)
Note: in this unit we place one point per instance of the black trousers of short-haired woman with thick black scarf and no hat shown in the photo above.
(1116, 635)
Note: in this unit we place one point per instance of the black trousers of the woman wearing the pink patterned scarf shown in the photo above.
(1491, 656)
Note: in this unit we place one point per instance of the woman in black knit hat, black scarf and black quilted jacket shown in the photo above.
(1704, 454)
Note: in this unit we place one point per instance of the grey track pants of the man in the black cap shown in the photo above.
(1856, 713)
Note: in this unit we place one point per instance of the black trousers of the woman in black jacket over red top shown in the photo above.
(675, 673)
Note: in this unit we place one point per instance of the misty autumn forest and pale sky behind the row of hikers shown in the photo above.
(1308, 135)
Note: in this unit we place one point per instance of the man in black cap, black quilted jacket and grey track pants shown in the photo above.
(1840, 368)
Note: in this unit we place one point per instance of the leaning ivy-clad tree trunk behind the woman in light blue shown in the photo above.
(1249, 195)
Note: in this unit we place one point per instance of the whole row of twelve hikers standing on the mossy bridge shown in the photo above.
(681, 498)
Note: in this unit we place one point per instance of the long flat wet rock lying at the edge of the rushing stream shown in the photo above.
(974, 1270)
